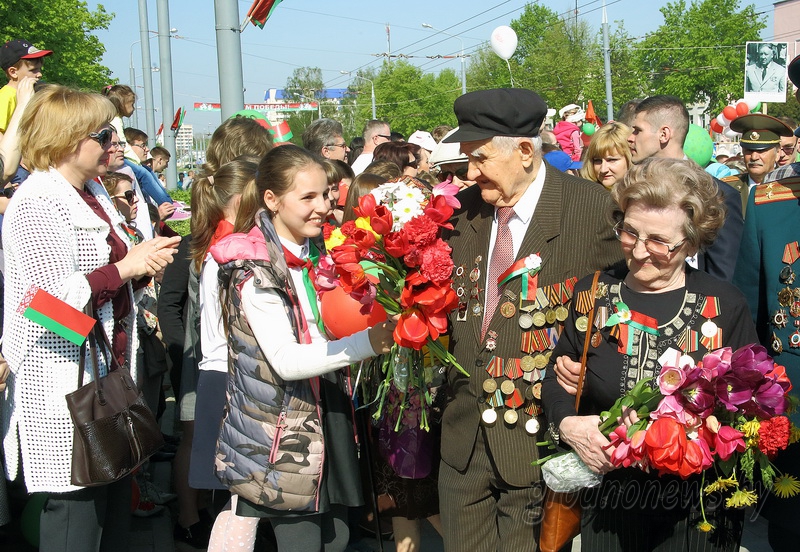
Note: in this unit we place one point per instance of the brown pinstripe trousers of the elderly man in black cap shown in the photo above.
(482, 513)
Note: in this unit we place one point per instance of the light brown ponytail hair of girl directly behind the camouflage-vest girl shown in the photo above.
(210, 196)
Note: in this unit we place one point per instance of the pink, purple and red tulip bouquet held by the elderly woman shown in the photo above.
(723, 418)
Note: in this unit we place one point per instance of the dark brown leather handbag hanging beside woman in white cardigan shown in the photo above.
(115, 431)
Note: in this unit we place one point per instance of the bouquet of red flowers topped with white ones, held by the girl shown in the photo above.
(393, 255)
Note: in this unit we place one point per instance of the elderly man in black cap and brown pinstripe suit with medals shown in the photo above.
(522, 222)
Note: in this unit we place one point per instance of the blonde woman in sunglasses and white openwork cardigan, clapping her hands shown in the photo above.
(63, 235)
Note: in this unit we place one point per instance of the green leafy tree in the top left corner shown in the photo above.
(65, 27)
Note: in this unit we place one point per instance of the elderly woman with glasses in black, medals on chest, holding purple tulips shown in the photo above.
(666, 211)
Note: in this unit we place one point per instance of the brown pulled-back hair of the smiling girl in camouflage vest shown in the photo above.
(276, 172)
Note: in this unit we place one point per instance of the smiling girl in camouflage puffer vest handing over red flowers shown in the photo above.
(286, 448)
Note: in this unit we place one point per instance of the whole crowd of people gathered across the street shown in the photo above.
(228, 317)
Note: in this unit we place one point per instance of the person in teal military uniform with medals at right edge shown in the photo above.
(766, 273)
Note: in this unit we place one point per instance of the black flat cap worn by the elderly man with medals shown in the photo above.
(499, 112)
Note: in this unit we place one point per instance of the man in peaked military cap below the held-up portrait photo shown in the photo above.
(761, 141)
